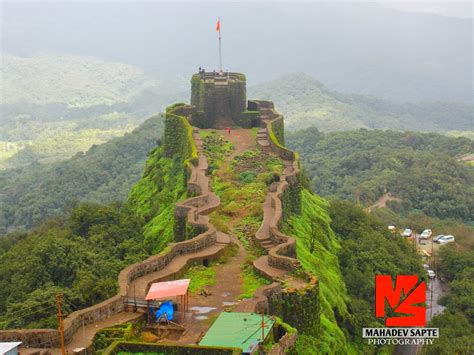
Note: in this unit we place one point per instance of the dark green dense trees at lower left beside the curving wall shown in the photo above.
(79, 255)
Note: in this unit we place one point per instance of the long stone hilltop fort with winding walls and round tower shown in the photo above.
(240, 188)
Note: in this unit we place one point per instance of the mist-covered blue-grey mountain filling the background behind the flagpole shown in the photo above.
(352, 47)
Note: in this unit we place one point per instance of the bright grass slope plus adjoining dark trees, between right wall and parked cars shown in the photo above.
(345, 248)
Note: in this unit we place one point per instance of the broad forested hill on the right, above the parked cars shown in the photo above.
(422, 169)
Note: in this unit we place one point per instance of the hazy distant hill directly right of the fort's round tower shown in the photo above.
(306, 102)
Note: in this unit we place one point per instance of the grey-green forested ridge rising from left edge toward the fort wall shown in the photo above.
(105, 173)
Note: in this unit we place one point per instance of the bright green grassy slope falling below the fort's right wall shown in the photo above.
(323, 263)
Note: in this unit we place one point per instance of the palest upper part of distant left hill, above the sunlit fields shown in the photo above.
(73, 80)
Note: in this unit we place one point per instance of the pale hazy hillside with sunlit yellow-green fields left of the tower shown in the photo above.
(55, 106)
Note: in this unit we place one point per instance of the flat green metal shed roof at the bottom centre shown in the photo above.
(239, 330)
